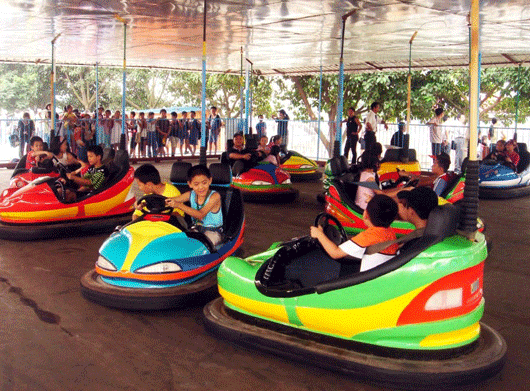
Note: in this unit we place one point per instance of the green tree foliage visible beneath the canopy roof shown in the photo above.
(28, 86)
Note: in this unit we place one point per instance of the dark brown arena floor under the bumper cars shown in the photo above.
(53, 339)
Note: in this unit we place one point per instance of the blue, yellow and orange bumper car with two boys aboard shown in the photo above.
(155, 263)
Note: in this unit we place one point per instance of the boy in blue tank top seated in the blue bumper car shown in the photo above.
(205, 210)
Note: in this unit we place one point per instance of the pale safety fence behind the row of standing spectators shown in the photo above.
(309, 138)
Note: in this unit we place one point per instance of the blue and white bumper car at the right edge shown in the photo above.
(501, 180)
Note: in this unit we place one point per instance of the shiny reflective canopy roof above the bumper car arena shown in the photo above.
(278, 36)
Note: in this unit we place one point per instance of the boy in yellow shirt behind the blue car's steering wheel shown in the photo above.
(149, 182)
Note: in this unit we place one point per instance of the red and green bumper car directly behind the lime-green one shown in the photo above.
(342, 185)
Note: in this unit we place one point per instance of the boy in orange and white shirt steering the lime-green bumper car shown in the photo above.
(378, 215)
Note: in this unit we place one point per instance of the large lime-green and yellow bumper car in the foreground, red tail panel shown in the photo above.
(412, 322)
